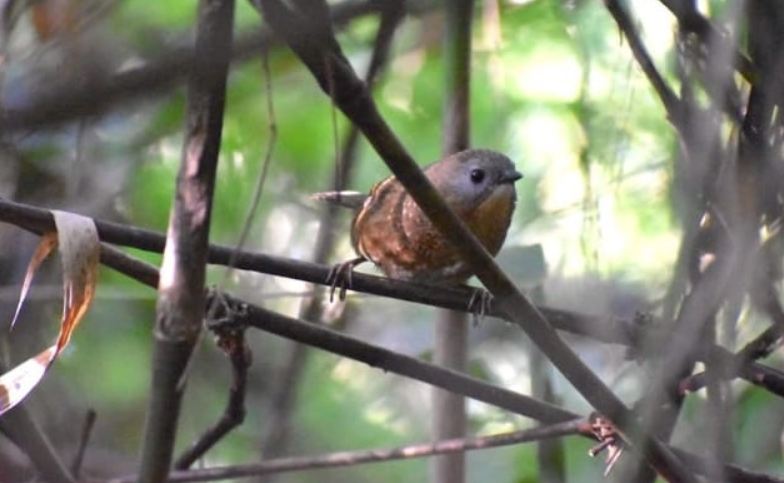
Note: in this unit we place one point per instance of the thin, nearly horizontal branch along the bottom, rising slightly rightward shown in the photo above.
(351, 458)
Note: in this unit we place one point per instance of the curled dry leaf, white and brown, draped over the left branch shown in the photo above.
(77, 239)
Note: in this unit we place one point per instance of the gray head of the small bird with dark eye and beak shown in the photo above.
(469, 177)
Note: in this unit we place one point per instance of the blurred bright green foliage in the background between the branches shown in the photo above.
(552, 86)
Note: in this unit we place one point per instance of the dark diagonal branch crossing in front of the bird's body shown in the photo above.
(324, 59)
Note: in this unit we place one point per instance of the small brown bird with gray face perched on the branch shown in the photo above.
(392, 231)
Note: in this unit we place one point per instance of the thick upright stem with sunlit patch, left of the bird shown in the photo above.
(180, 305)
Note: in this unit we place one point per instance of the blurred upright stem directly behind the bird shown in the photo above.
(451, 328)
